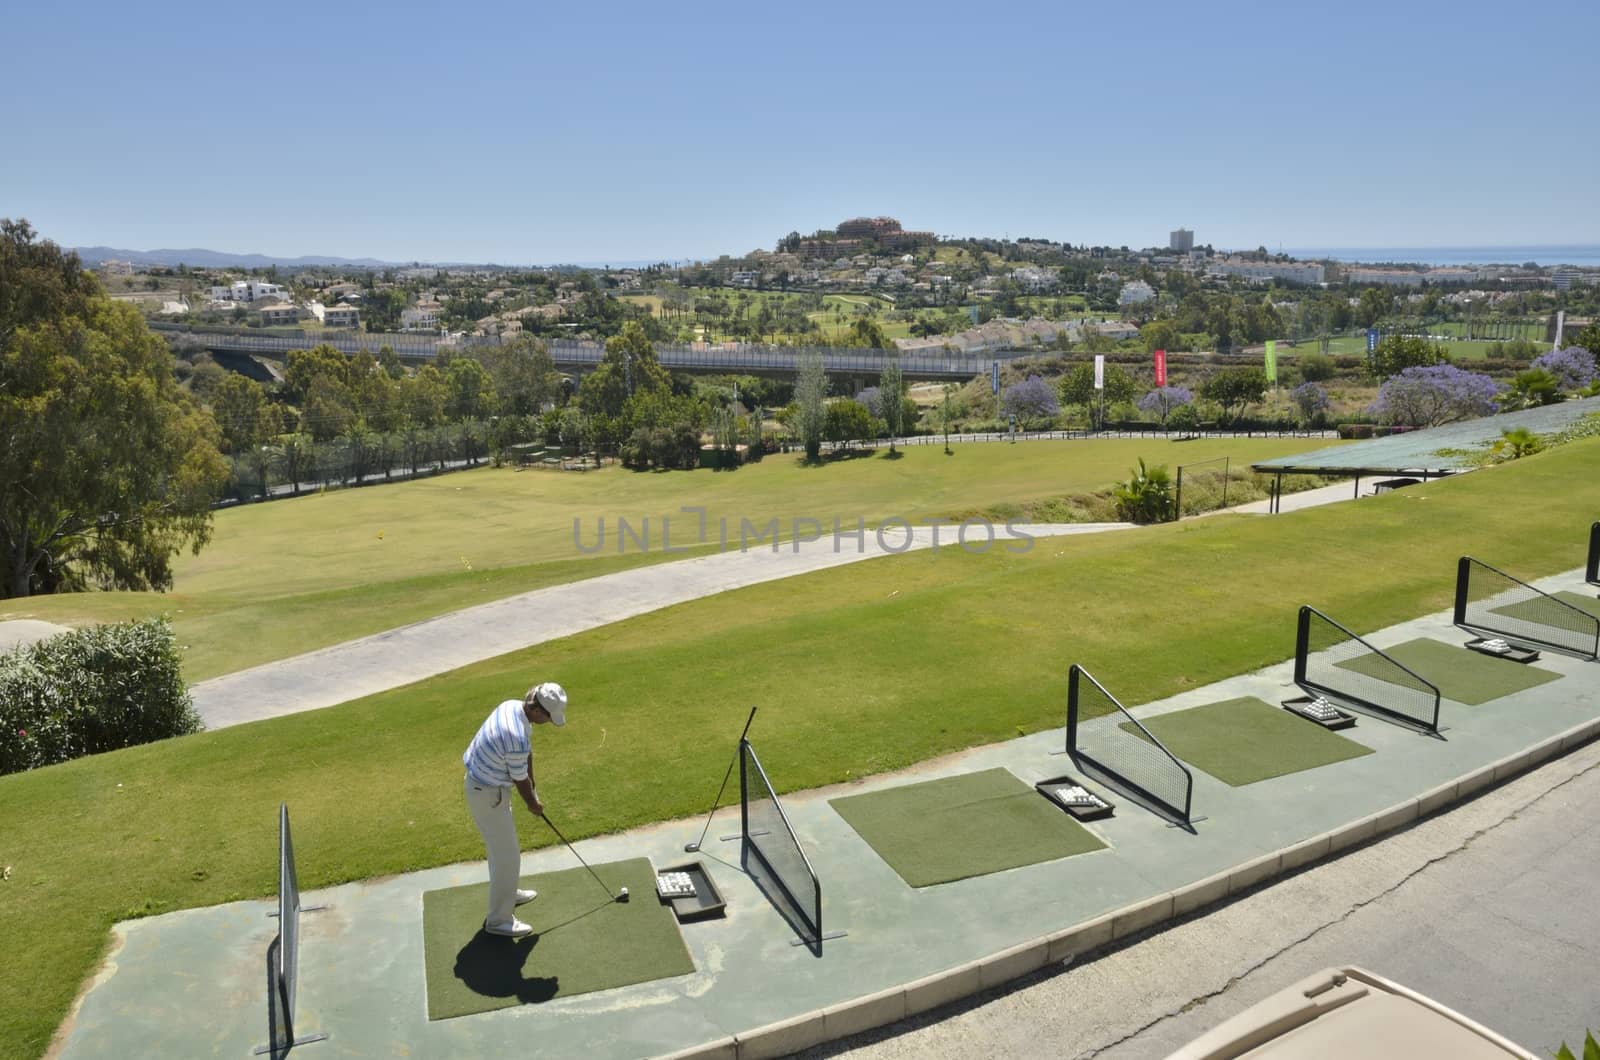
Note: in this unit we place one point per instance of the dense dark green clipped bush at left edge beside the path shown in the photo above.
(92, 691)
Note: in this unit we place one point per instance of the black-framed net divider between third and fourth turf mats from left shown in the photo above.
(1337, 664)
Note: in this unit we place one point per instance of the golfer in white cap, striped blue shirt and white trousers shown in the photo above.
(500, 760)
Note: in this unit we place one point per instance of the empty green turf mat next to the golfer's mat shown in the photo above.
(959, 827)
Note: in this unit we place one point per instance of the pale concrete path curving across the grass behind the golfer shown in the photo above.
(436, 646)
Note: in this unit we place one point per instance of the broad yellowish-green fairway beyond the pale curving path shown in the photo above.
(303, 574)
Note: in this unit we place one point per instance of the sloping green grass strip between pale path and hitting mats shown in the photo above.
(914, 657)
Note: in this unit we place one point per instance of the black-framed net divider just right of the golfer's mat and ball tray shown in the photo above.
(770, 838)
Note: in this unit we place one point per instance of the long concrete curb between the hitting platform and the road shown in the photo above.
(897, 1003)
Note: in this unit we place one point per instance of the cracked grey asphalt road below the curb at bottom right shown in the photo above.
(1489, 909)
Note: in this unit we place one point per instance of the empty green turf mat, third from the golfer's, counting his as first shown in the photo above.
(1246, 741)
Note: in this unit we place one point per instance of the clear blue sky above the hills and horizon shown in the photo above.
(535, 134)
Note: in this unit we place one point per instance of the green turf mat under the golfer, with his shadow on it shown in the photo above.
(582, 942)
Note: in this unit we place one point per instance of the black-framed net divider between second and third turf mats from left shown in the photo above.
(1135, 763)
